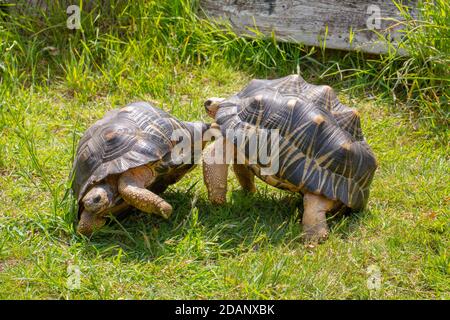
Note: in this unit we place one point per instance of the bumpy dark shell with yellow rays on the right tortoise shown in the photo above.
(321, 146)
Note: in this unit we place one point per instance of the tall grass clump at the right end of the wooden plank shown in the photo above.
(422, 78)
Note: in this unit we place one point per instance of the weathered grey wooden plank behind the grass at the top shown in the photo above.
(343, 24)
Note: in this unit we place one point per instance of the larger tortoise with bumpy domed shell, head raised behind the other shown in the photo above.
(322, 152)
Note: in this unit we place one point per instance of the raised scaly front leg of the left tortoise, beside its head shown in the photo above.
(132, 189)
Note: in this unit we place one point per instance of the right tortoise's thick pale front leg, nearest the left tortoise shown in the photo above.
(215, 174)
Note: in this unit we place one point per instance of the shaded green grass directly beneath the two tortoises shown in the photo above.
(200, 230)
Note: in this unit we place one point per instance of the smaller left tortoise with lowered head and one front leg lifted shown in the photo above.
(126, 159)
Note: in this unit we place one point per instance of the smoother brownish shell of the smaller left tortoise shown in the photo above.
(138, 134)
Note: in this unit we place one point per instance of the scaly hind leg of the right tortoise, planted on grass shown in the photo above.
(315, 228)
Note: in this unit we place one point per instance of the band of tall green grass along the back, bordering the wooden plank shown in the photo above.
(127, 39)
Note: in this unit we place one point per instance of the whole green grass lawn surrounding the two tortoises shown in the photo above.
(250, 248)
